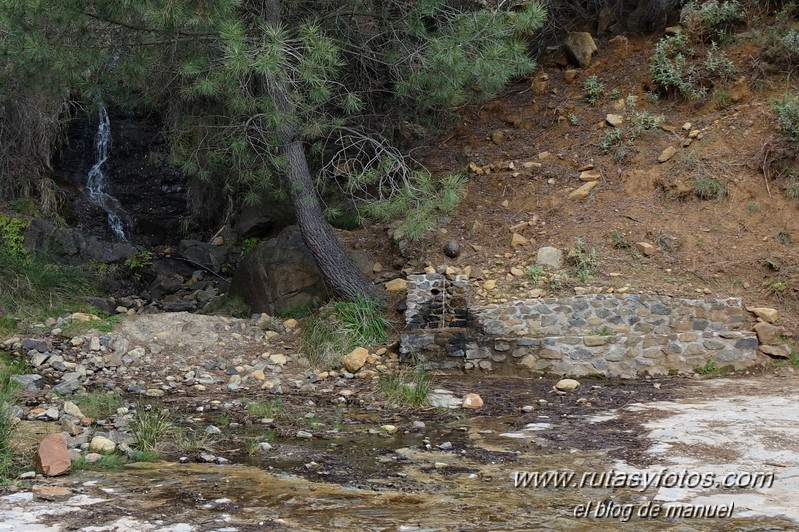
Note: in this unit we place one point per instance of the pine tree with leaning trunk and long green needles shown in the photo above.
(258, 88)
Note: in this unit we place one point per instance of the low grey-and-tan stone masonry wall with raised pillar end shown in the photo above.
(615, 335)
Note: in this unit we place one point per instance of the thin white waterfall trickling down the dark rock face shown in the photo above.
(97, 181)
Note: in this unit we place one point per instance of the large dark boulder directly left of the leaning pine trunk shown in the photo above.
(280, 274)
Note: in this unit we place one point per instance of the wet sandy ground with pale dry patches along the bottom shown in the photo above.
(717, 426)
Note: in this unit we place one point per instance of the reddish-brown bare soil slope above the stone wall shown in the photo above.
(740, 246)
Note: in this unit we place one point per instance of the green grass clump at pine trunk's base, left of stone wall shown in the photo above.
(339, 328)
